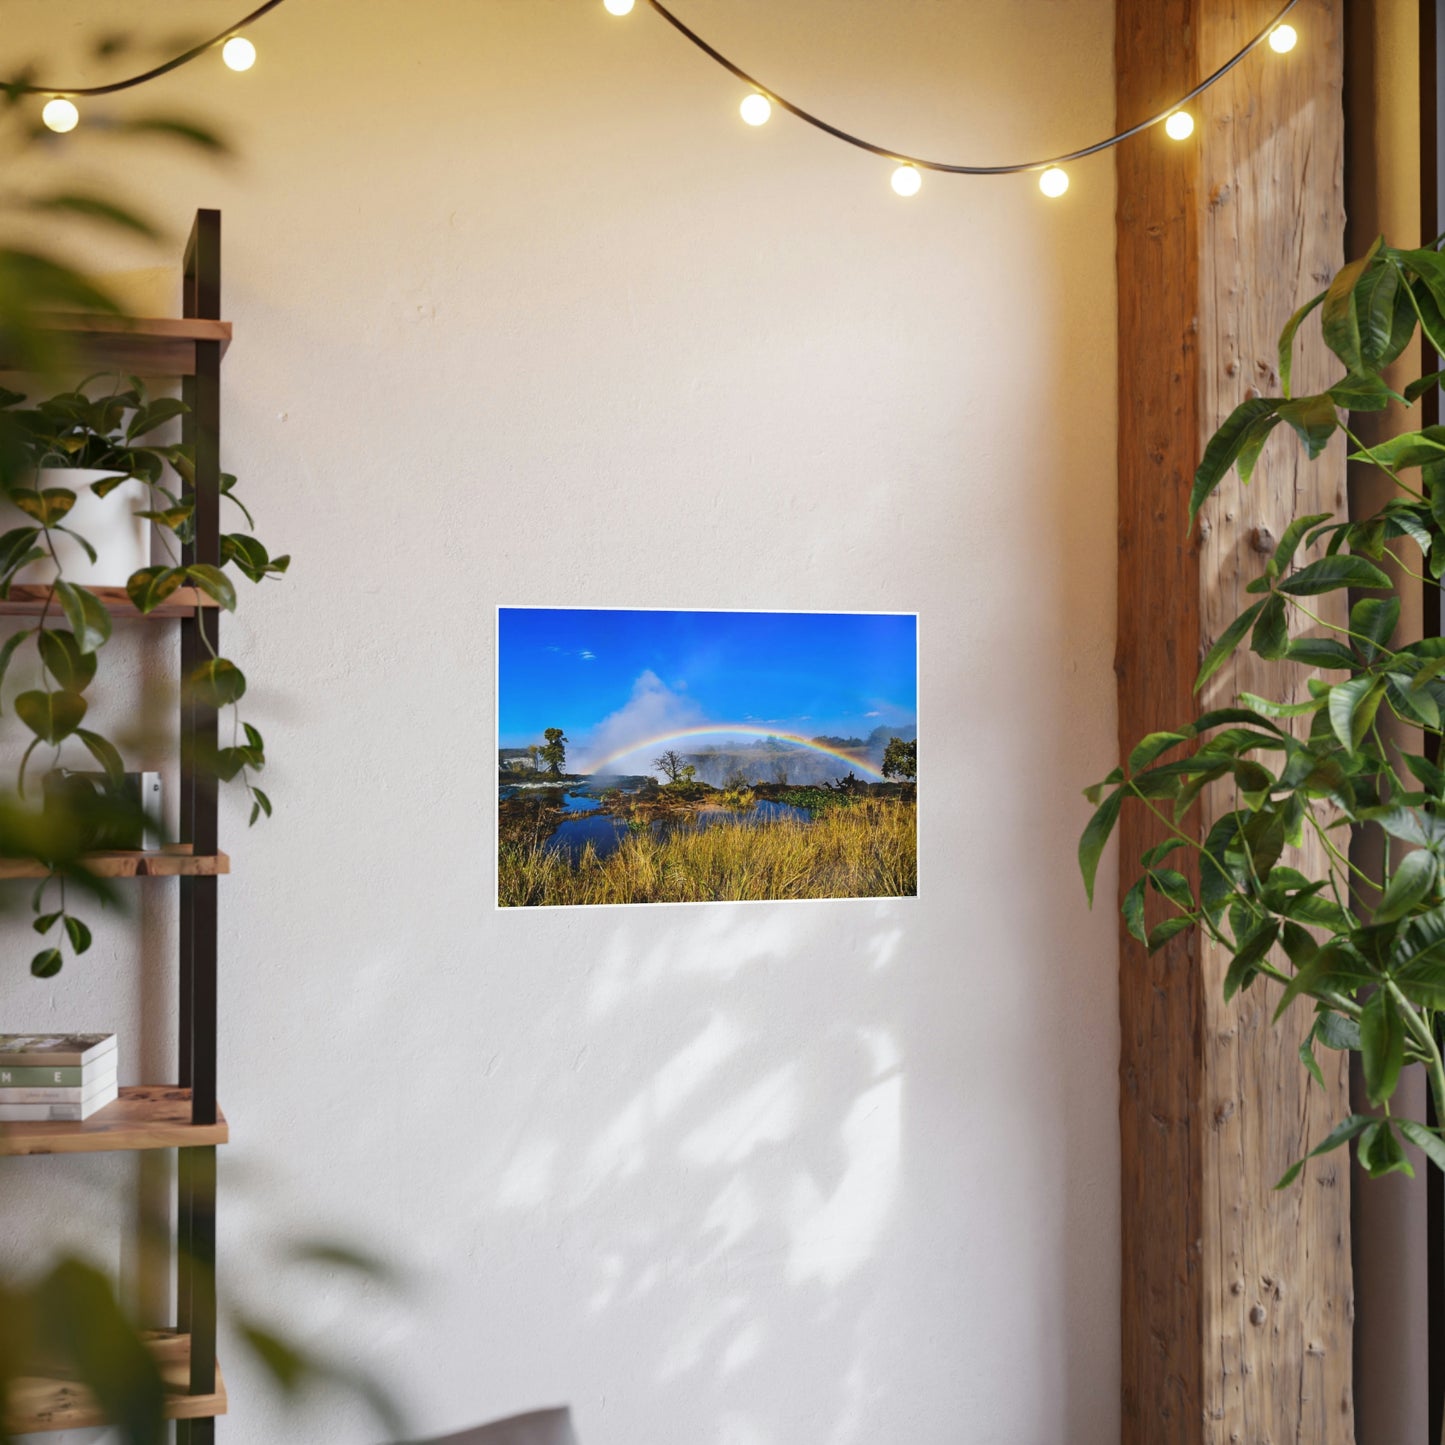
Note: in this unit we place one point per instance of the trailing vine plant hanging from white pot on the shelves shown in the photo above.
(111, 433)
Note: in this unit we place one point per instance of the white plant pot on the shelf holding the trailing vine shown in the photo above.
(111, 525)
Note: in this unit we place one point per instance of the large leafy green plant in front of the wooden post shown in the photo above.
(1375, 975)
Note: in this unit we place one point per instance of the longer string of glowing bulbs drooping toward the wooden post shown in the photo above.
(1054, 181)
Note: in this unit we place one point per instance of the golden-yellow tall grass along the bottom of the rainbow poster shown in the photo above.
(869, 850)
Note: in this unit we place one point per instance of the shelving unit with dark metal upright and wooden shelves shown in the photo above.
(183, 1116)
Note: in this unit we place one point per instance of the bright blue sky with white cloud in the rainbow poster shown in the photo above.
(612, 680)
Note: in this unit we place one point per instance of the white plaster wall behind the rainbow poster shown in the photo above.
(525, 314)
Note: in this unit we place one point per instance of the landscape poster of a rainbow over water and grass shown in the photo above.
(657, 756)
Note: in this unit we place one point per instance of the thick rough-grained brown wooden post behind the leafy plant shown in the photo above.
(1236, 1300)
